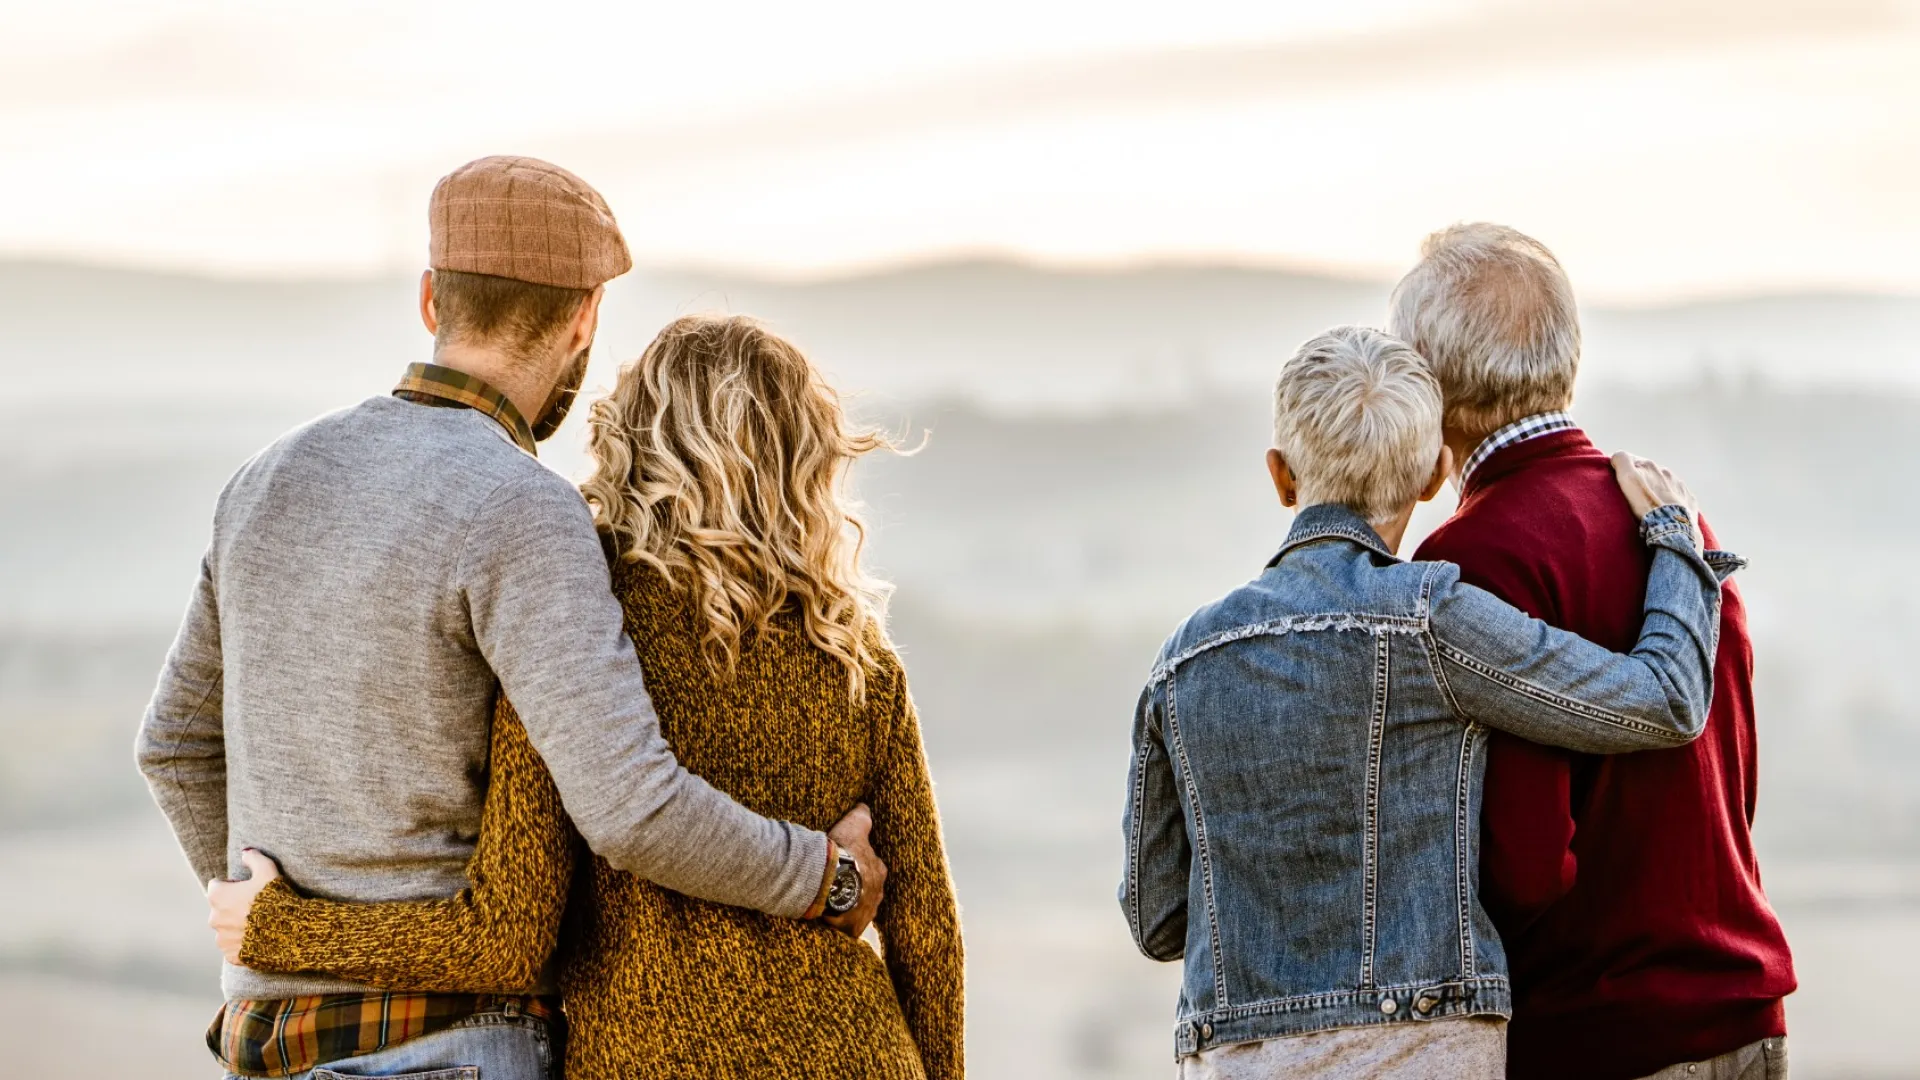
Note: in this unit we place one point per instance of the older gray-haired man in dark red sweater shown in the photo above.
(1625, 889)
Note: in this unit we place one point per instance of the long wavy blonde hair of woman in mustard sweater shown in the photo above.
(721, 460)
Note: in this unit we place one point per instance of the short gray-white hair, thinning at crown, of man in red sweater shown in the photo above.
(1493, 312)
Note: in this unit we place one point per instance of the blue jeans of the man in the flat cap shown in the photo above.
(489, 1046)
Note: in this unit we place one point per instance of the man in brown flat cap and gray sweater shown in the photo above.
(377, 579)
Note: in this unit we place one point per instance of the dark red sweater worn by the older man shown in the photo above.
(1625, 889)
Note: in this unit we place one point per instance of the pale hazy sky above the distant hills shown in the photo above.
(1662, 147)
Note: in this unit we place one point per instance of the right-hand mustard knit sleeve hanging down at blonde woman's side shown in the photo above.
(921, 920)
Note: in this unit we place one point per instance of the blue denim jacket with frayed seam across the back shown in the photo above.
(1305, 802)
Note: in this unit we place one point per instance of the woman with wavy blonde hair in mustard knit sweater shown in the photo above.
(719, 493)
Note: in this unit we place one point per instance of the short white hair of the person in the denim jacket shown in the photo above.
(1356, 414)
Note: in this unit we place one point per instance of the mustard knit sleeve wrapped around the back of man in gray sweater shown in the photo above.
(492, 937)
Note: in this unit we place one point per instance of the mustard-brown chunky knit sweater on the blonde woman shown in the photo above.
(660, 985)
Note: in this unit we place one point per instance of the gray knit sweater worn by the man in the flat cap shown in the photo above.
(375, 581)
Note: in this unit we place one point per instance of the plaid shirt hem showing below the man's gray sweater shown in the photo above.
(297, 1035)
